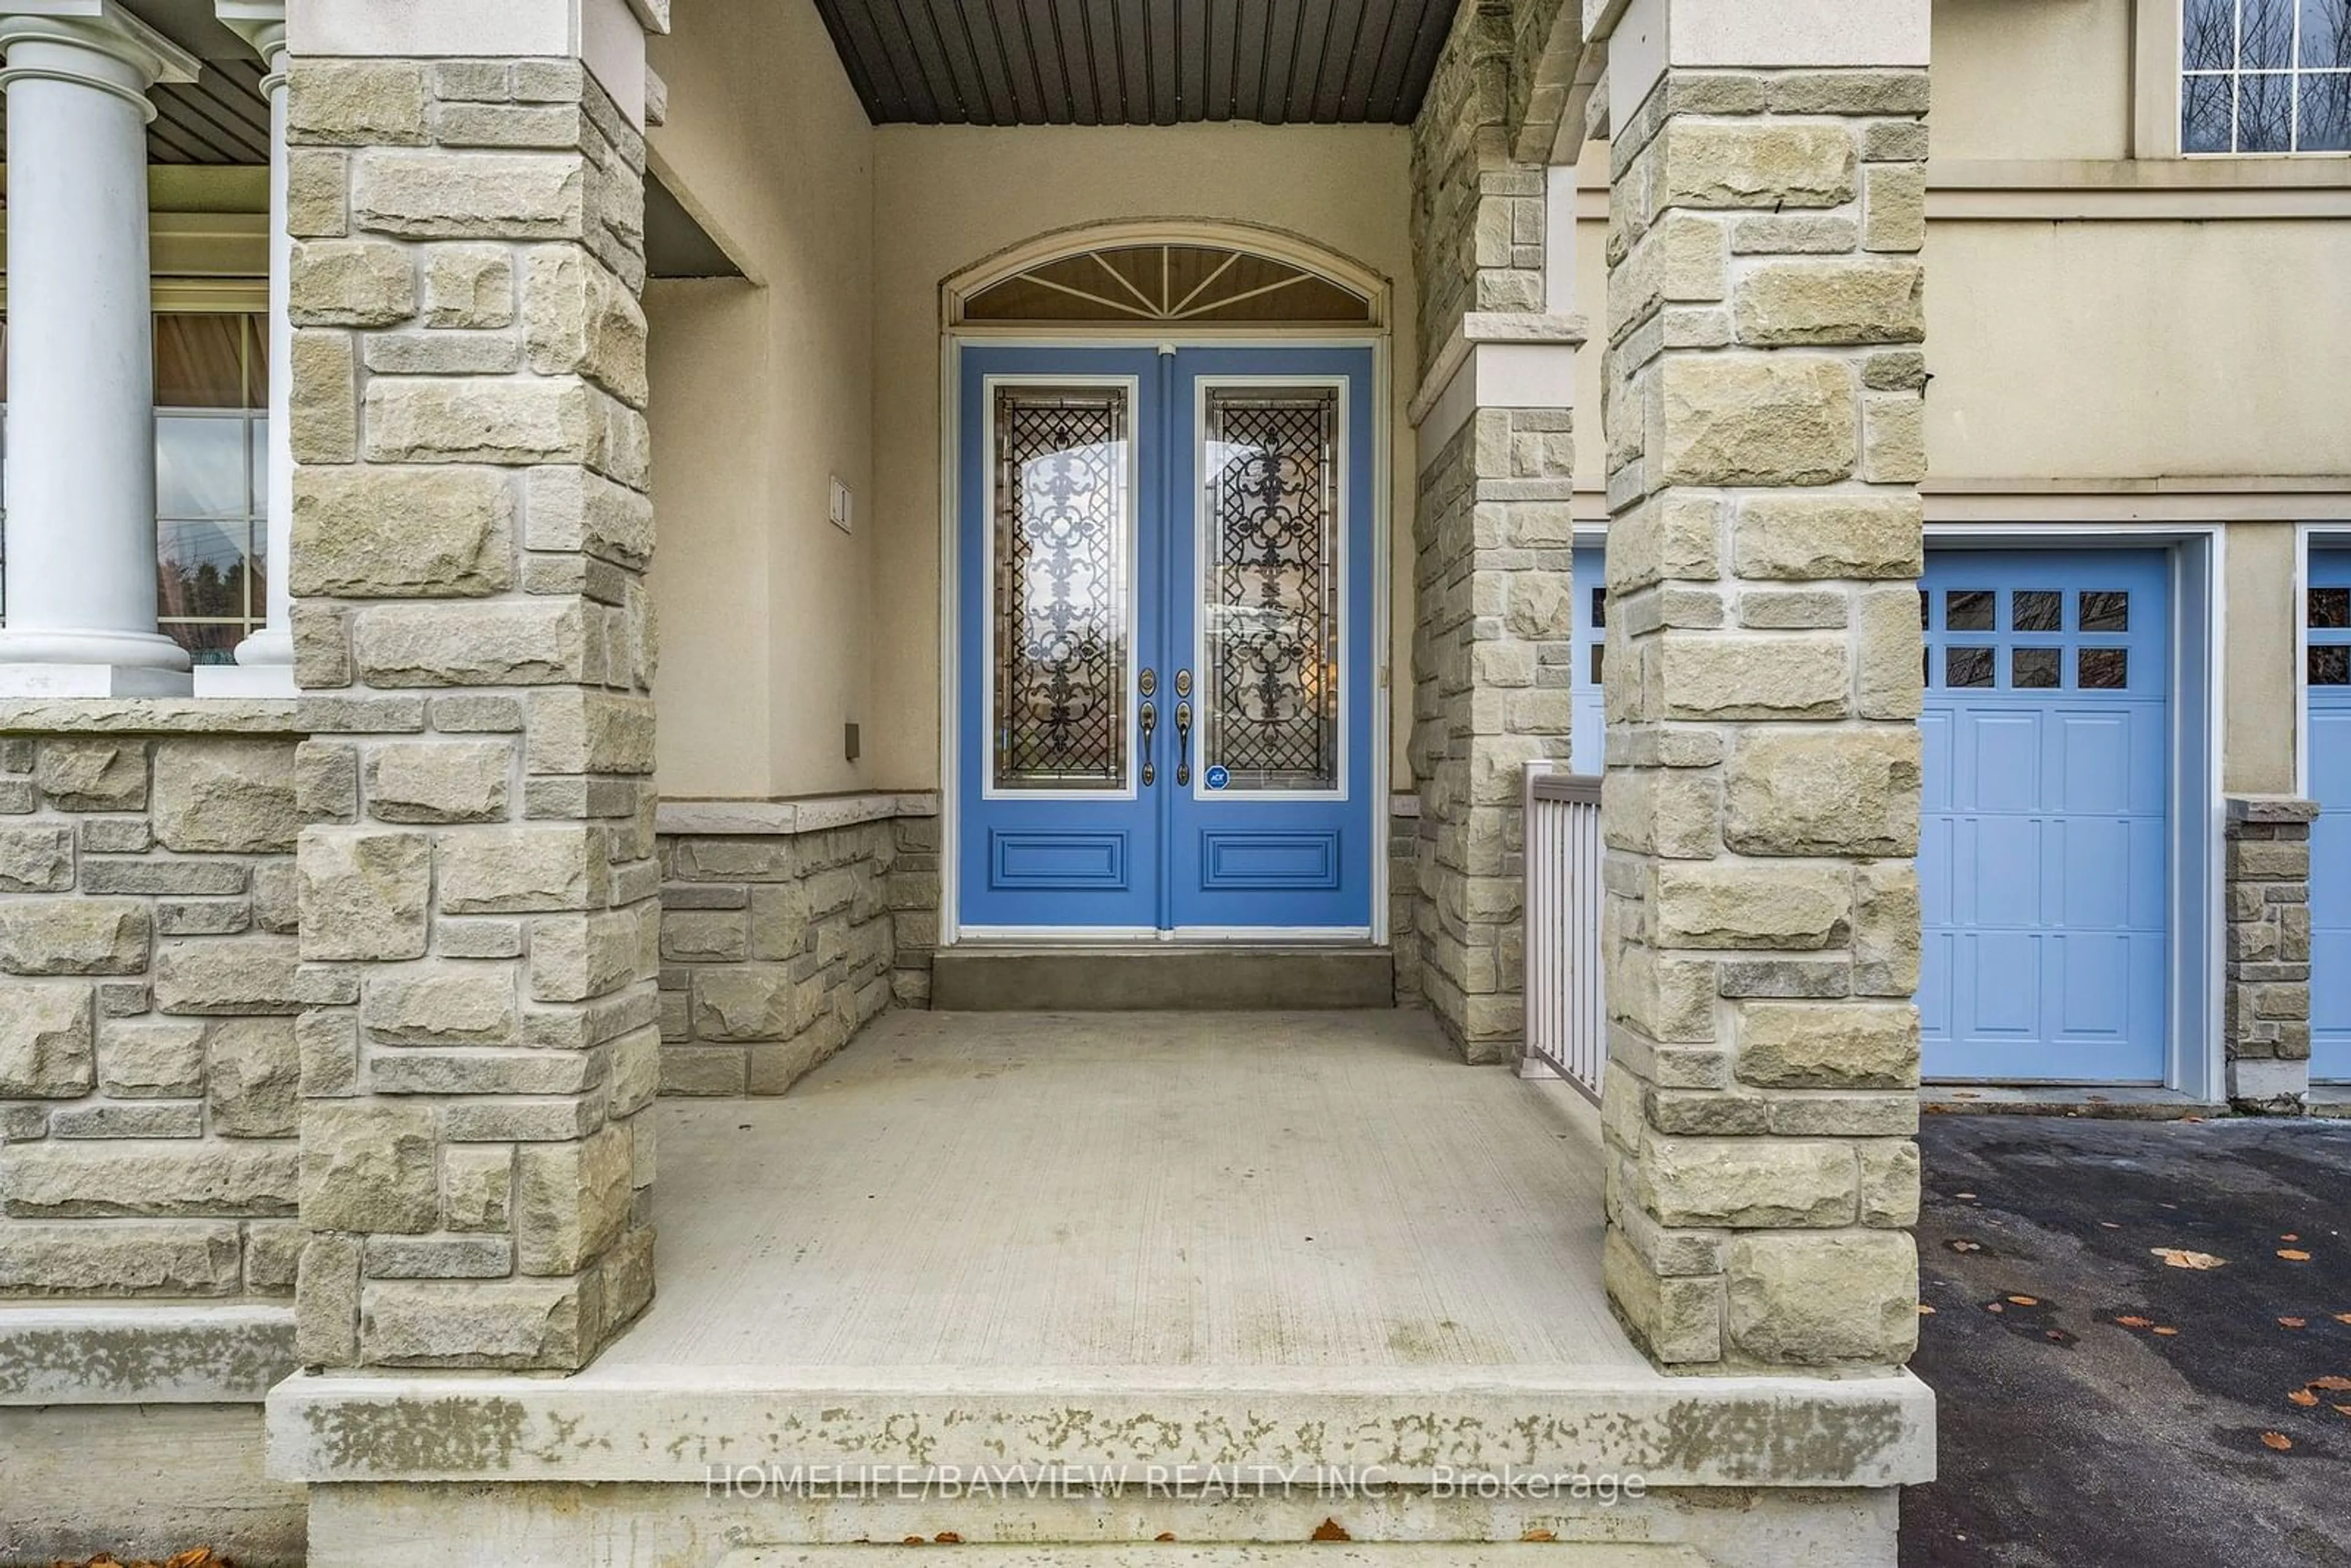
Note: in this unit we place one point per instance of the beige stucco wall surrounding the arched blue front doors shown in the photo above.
(951, 196)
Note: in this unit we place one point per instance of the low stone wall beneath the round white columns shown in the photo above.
(149, 1080)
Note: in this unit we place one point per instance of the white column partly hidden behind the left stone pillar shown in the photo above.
(267, 659)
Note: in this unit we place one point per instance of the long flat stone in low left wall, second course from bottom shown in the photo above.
(203, 1181)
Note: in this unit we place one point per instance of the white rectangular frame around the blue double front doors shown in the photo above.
(1381, 500)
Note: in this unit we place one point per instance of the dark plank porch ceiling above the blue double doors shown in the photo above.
(1139, 62)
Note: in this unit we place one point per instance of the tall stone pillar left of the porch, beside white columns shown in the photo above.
(471, 636)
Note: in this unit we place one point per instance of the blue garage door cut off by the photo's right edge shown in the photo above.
(2331, 836)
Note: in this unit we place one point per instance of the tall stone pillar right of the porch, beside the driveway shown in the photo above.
(1764, 681)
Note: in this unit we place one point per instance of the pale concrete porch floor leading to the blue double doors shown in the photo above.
(1014, 1191)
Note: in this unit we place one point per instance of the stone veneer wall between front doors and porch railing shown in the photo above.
(1492, 549)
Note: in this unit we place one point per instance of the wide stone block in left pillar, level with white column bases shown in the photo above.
(507, 643)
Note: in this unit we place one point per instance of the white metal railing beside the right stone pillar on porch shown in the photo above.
(1567, 1017)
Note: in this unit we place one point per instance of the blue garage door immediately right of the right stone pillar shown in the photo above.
(2044, 845)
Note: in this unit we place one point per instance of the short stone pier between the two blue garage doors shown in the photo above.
(2268, 1000)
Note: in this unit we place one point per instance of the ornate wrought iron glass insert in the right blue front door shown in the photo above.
(1271, 594)
